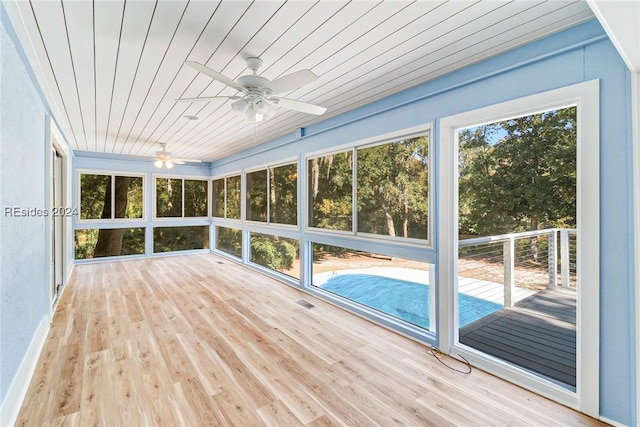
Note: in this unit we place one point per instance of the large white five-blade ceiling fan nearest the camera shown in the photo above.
(258, 102)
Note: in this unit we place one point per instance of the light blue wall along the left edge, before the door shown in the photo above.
(24, 291)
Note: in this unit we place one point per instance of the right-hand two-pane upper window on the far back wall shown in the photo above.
(181, 198)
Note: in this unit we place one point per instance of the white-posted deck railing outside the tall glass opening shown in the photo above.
(529, 259)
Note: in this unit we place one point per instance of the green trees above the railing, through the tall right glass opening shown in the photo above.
(519, 174)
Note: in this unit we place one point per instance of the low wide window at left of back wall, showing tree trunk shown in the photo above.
(105, 242)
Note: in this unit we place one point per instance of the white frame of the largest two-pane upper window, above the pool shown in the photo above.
(413, 132)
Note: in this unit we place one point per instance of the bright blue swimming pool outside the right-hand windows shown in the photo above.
(402, 299)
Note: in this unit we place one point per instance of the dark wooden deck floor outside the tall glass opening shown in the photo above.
(537, 334)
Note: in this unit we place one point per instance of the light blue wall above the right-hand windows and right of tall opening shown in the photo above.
(577, 55)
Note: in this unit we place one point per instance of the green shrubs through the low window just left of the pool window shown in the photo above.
(273, 252)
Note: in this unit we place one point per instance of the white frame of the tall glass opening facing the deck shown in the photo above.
(585, 96)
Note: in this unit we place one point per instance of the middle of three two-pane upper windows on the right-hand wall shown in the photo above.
(273, 193)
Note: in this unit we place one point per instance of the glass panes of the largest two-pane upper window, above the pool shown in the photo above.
(391, 189)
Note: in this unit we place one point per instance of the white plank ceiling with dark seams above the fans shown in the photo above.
(112, 69)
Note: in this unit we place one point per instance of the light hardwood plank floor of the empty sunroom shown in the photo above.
(199, 340)
